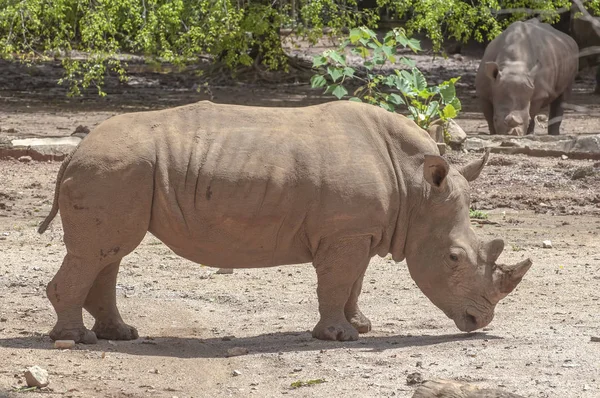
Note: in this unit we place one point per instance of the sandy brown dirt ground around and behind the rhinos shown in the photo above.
(539, 344)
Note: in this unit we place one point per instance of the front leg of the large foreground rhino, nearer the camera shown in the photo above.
(340, 266)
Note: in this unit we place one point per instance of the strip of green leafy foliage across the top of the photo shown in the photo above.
(92, 36)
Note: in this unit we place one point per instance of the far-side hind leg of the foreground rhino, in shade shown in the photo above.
(101, 302)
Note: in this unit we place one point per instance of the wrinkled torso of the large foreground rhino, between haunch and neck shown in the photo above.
(262, 186)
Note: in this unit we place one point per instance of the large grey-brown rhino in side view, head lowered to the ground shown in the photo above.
(239, 187)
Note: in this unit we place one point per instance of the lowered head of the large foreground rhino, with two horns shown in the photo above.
(454, 269)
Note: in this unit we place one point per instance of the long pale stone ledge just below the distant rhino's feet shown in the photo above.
(575, 147)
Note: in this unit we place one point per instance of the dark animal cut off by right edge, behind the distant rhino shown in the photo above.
(585, 29)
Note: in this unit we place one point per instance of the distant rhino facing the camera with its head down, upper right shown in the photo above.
(527, 67)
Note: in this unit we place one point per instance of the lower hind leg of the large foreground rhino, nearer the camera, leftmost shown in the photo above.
(67, 292)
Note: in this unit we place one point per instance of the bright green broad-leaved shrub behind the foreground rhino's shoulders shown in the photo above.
(402, 88)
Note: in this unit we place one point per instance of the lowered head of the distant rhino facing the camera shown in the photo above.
(512, 91)
